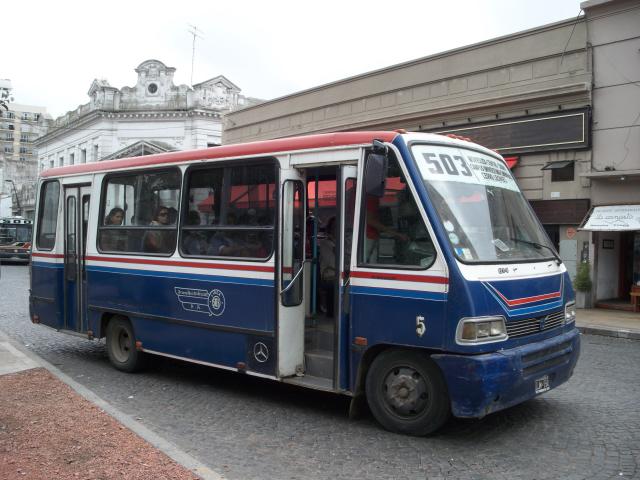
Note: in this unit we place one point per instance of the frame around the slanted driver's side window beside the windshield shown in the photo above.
(362, 224)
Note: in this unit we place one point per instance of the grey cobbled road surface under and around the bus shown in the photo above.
(249, 428)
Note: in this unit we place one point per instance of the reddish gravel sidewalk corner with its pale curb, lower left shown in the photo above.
(53, 427)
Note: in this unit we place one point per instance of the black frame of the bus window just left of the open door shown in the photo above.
(191, 169)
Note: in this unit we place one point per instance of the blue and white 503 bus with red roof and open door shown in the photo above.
(404, 268)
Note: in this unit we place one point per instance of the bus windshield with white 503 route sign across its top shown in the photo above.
(486, 217)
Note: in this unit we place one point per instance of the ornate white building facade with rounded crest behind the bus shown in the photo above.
(153, 116)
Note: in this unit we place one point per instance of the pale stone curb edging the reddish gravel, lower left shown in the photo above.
(166, 447)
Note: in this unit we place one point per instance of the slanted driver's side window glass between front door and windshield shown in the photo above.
(393, 231)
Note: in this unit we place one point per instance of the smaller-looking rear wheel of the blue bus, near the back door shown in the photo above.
(121, 346)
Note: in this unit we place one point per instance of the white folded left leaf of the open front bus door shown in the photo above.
(291, 308)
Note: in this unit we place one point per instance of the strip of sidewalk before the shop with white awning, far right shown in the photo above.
(611, 323)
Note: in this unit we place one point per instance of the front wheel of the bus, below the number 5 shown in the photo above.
(406, 393)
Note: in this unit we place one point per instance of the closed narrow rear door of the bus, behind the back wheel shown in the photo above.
(76, 216)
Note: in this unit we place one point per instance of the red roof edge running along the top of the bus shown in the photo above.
(324, 140)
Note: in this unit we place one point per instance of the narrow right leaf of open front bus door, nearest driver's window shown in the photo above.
(347, 204)
